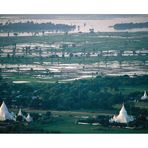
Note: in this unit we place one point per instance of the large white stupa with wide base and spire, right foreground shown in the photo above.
(123, 117)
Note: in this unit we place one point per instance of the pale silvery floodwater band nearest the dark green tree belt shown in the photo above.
(68, 72)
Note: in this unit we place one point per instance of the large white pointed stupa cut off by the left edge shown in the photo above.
(4, 113)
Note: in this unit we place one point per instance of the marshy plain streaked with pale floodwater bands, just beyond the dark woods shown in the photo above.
(50, 63)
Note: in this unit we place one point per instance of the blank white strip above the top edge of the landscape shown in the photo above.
(73, 6)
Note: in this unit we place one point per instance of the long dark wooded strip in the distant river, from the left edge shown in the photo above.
(31, 26)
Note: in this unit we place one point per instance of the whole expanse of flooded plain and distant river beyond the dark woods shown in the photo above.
(67, 60)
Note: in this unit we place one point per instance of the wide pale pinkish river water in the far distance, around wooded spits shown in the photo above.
(100, 23)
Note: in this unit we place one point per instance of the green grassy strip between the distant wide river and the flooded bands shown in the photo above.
(104, 42)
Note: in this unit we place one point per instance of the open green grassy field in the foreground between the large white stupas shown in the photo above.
(65, 122)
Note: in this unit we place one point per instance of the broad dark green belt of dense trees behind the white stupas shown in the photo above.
(94, 94)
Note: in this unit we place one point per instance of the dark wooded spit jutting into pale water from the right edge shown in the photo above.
(124, 26)
